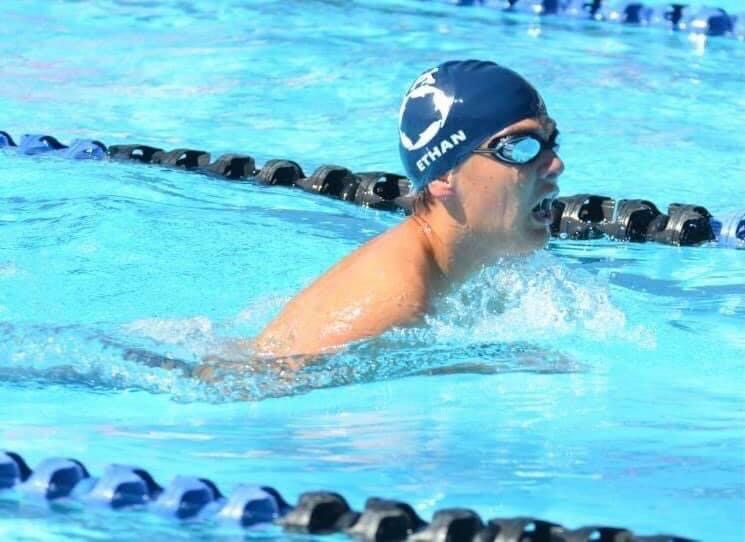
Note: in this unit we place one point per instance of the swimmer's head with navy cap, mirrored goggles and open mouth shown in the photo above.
(482, 152)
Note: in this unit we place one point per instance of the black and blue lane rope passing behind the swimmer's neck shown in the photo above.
(577, 217)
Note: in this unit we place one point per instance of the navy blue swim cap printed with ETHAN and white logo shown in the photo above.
(450, 110)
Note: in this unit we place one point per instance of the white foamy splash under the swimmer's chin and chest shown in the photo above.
(533, 299)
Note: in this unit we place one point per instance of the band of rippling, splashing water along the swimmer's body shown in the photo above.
(509, 317)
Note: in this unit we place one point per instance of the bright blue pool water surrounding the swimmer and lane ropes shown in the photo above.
(596, 382)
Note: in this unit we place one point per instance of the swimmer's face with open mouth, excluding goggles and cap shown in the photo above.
(499, 200)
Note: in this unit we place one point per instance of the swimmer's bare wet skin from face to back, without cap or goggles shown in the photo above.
(482, 210)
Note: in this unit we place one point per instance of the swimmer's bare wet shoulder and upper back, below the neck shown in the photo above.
(380, 285)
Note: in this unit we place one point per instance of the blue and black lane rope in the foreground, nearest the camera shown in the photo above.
(65, 481)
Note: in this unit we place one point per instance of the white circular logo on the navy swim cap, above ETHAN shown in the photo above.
(423, 101)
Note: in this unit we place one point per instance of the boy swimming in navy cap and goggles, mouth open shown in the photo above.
(480, 149)
